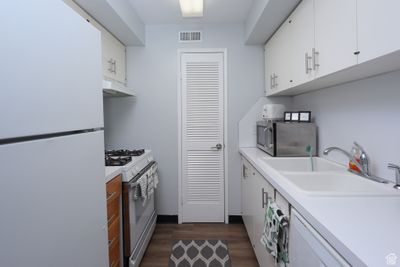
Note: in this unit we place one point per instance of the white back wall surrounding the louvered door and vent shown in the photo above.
(151, 120)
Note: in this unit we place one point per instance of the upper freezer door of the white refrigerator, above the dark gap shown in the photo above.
(50, 74)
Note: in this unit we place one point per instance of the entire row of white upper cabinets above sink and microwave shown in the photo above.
(324, 43)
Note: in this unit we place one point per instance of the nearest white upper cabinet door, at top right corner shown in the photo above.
(378, 25)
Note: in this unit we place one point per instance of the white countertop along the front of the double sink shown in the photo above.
(364, 230)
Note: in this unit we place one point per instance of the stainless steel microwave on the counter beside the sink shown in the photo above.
(287, 139)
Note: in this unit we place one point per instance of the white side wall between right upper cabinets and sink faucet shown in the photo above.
(366, 111)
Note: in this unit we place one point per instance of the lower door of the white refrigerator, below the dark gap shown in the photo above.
(53, 202)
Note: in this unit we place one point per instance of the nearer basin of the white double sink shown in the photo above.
(338, 184)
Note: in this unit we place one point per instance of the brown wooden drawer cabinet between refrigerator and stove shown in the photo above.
(113, 189)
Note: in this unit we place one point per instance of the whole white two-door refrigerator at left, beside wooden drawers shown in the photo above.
(52, 188)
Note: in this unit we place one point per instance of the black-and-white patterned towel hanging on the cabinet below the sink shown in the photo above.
(275, 236)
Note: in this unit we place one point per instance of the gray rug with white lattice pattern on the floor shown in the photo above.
(199, 253)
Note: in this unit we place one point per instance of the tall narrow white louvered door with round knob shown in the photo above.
(202, 144)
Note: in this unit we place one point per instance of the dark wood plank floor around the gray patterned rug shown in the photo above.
(159, 249)
